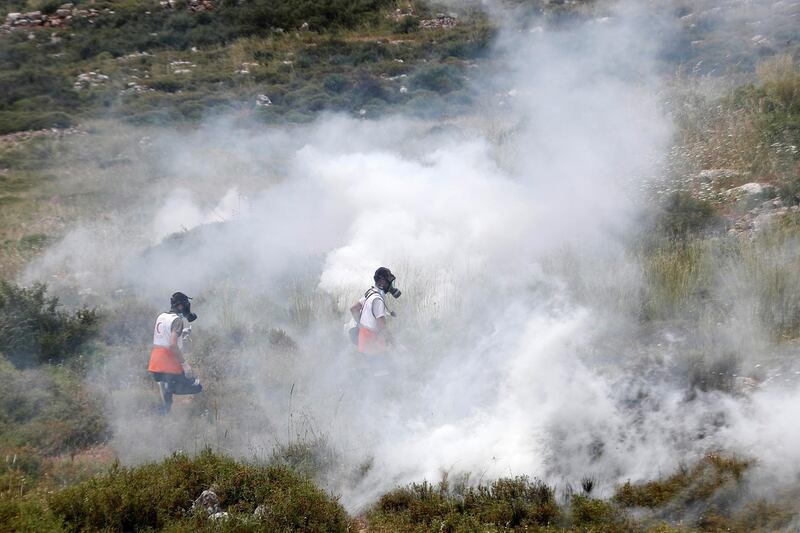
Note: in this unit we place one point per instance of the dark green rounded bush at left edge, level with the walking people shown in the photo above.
(34, 331)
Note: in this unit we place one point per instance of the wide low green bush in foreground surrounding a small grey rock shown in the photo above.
(160, 496)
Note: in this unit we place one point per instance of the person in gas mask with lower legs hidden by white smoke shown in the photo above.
(370, 314)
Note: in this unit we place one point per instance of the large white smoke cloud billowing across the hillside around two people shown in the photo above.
(520, 349)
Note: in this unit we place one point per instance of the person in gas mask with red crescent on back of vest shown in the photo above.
(167, 363)
